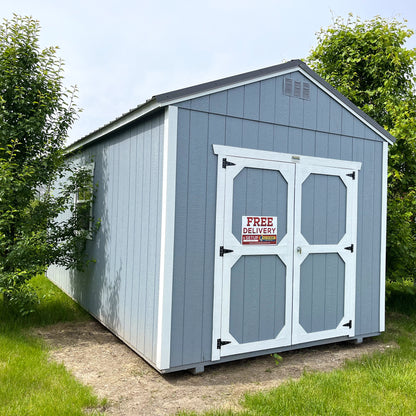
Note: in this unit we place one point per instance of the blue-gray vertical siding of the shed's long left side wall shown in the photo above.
(121, 288)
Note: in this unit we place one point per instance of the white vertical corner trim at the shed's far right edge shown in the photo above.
(383, 238)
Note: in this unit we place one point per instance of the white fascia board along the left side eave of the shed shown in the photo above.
(109, 128)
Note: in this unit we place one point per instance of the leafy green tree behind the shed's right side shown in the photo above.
(368, 63)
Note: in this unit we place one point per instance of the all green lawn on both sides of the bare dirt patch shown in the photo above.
(383, 384)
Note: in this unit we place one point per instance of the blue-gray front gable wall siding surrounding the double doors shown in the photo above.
(260, 116)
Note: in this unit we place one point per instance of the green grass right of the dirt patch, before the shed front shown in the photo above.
(380, 384)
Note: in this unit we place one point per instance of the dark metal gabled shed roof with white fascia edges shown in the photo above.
(172, 97)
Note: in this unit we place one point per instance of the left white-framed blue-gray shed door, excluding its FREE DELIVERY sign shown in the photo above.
(257, 284)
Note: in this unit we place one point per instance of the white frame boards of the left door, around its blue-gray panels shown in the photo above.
(283, 250)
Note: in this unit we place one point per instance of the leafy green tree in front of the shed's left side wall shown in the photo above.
(36, 112)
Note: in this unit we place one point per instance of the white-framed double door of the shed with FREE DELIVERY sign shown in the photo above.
(286, 250)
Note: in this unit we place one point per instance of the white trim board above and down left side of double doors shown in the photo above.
(222, 152)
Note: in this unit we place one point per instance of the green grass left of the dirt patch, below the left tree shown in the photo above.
(30, 384)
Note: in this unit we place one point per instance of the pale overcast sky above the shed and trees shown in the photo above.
(121, 53)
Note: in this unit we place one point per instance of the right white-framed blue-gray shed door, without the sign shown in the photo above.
(324, 269)
